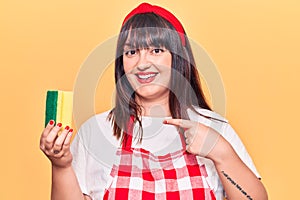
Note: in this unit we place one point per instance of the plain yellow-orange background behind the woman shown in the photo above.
(255, 45)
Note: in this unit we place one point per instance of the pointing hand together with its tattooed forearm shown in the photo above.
(204, 141)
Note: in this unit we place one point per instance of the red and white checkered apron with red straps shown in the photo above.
(143, 175)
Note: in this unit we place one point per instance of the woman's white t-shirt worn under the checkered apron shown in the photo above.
(94, 149)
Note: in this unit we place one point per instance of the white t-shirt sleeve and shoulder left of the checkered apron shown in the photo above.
(91, 155)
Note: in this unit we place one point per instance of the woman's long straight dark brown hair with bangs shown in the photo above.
(141, 31)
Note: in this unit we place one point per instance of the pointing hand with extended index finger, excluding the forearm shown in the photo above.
(200, 139)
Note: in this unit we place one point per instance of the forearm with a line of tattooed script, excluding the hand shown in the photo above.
(238, 180)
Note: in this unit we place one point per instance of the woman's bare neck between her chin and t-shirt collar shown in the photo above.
(158, 107)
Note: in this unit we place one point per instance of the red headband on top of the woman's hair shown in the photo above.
(148, 8)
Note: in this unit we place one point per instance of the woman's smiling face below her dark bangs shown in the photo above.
(148, 70)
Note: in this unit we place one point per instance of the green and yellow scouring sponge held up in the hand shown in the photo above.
(59, 106)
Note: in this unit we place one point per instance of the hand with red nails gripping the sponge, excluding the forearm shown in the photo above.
(57, 147)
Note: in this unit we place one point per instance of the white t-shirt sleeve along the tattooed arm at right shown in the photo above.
(232, 137)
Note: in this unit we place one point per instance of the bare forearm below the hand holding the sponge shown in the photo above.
(65, 185)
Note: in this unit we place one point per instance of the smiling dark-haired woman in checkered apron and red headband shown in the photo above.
(187, 151)
